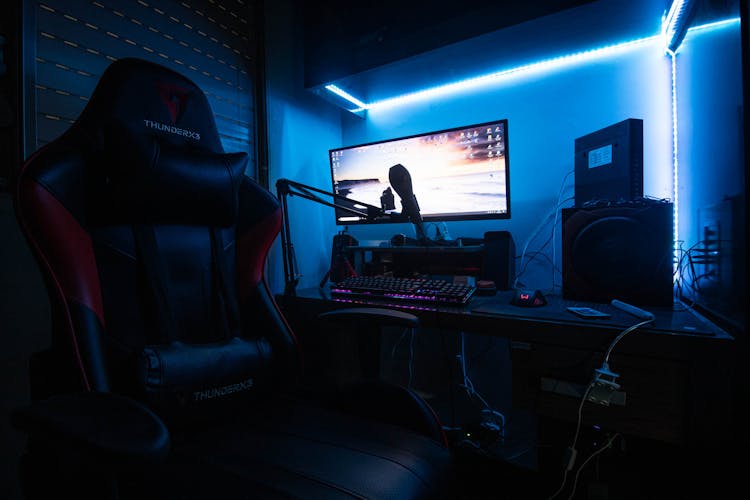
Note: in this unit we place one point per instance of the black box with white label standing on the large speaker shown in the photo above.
(609, 164)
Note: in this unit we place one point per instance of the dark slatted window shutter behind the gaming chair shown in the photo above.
(208, 41)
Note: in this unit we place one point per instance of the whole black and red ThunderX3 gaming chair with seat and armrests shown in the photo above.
(171, 372)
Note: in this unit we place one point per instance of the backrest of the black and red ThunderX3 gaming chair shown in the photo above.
(152, 242)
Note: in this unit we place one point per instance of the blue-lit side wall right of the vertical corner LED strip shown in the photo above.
(711, 168)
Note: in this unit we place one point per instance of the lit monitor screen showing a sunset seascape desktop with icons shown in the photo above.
(456, 174)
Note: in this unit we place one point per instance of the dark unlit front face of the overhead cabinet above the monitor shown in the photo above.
(344, 38)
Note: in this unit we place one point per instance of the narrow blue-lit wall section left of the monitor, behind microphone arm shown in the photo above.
(301, 129)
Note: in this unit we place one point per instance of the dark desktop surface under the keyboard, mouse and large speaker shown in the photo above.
(551, 323)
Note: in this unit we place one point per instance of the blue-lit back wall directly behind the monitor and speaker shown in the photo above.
(546, 112)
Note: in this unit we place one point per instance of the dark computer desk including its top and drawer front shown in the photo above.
(674, 374)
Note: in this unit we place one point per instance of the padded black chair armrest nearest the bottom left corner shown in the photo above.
(106, 425)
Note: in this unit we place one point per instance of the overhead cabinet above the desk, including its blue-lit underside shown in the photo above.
(378, 51)
